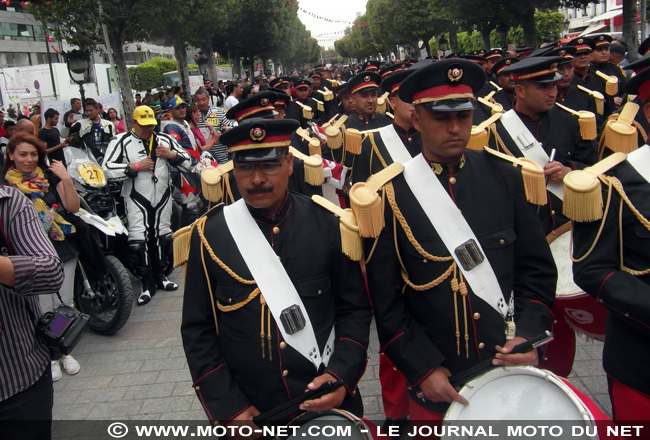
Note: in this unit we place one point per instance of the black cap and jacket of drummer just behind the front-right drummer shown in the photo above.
(555, 129)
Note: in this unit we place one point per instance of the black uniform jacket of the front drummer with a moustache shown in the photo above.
(227, 367)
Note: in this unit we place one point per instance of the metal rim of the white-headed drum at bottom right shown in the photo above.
(478, 382)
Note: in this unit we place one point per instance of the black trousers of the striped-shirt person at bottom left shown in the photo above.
(28, 414)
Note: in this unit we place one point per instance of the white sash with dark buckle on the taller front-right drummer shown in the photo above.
(453, 229)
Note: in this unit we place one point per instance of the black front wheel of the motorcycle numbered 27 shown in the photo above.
(111, 305)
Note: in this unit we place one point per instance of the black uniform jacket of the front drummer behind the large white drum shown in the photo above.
(417, 328)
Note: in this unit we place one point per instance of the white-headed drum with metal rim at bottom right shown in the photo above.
(520, 393)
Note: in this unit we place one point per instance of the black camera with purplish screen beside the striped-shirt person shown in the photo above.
(63, 328)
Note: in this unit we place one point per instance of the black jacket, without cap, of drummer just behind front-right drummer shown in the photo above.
(554, 129)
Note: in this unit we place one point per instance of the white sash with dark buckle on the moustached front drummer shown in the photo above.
(273, 281)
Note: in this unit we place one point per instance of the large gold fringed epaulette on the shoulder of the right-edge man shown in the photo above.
(583, 200)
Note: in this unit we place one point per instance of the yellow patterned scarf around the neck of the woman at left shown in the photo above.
(35, 186)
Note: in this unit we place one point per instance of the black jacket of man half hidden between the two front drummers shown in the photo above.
(374, 158)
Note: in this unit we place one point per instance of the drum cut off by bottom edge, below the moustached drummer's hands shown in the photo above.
(332, 424)
